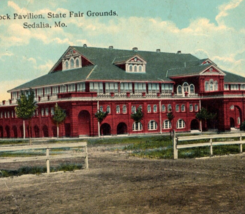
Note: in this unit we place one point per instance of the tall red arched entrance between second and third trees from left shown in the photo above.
(84, 123)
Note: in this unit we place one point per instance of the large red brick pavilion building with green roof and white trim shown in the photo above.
(86, 79)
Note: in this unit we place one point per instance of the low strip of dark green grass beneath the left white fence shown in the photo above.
(39, 170)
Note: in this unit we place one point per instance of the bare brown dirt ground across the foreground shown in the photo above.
(117, 183)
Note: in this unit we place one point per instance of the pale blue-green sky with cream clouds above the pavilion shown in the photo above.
(206, 29)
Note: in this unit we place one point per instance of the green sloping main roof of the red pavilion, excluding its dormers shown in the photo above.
(160, 67)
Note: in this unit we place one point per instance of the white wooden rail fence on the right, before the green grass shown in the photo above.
(211, 141)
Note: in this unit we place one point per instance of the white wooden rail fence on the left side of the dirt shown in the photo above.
(48, 157)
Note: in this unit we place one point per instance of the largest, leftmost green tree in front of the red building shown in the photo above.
(26, 108)
